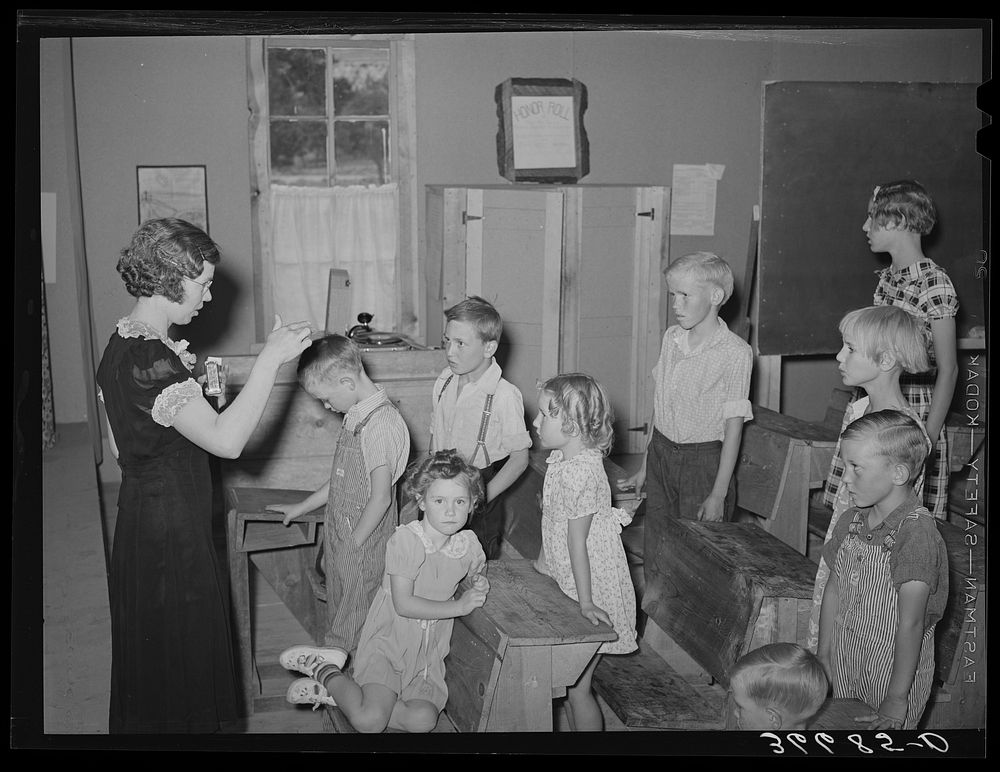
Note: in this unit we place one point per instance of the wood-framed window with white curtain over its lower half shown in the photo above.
(332, 144)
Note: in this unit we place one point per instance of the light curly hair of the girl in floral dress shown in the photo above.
(583, 408)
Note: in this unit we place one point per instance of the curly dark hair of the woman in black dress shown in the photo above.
(161, 253)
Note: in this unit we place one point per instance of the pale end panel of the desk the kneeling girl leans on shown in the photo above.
(523, 698)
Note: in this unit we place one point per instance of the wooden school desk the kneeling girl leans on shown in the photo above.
(510, 658)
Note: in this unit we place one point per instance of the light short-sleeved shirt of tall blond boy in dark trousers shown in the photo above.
(697, 389)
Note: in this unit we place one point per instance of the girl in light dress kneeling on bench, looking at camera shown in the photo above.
(398, 678)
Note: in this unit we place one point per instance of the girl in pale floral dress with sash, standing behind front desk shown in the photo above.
(581, 532)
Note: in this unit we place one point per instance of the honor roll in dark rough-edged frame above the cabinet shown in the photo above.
(541, 137)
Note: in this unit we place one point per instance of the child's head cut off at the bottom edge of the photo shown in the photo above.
(777, 686)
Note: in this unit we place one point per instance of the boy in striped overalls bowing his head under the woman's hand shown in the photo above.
(360, 497)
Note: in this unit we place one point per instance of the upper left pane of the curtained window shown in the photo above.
(296, 81)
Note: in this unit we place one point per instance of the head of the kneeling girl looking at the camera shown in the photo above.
(447, 489)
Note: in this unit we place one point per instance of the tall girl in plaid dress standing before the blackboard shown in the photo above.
(899, 215)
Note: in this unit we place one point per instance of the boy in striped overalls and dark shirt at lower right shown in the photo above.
(888, 582)
